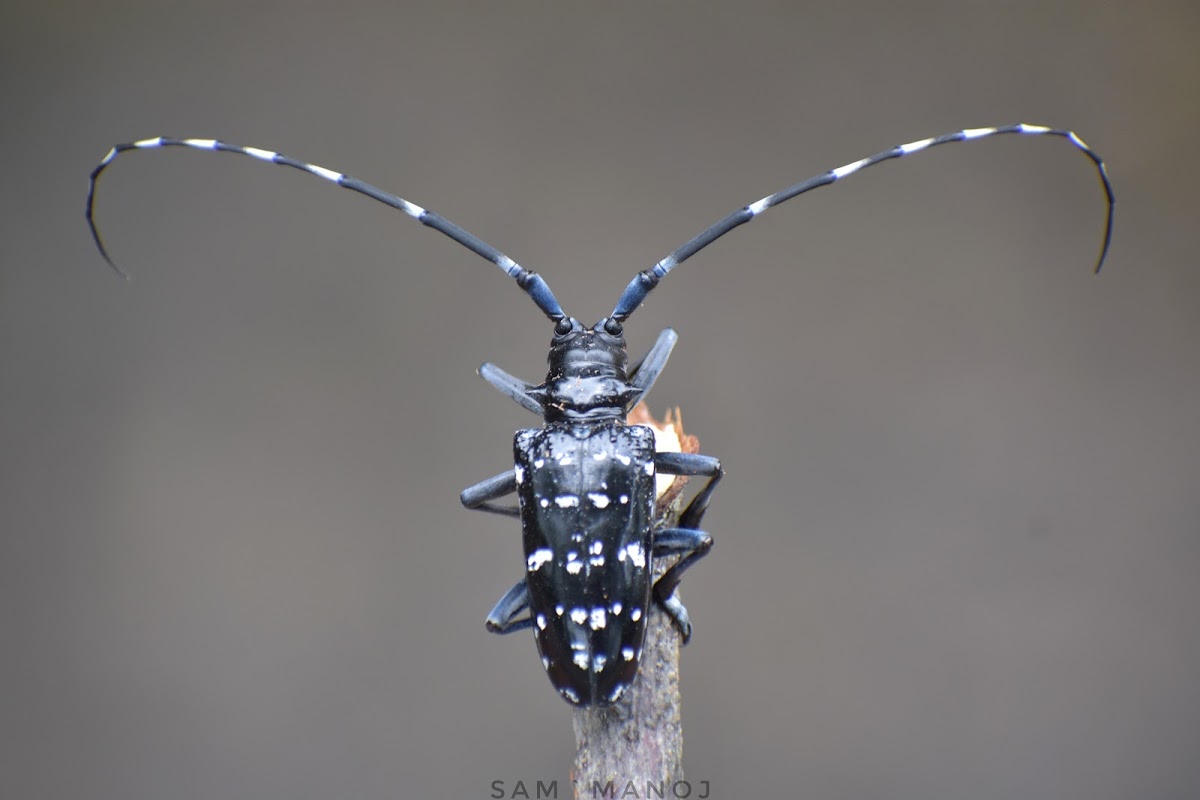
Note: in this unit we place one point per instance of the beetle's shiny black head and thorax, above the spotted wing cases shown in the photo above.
(587, 378)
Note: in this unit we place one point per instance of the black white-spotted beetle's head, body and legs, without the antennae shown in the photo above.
(586, 489)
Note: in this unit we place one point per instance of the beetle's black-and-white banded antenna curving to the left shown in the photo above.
(531, 282)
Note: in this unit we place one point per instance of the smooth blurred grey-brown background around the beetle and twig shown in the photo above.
(959, 544)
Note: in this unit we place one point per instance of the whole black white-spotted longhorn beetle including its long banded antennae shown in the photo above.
(585, 480)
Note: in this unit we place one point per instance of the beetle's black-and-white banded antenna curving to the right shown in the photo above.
(645, 282)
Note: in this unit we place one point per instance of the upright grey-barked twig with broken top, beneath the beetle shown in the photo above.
(639, 741)
